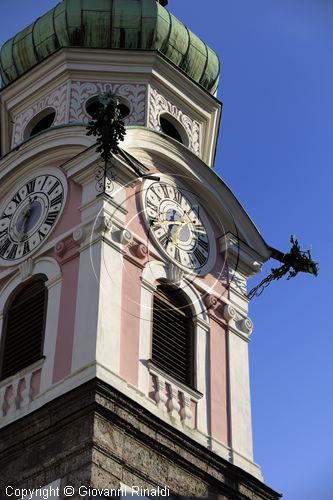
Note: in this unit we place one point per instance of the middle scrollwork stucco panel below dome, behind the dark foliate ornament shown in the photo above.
(81, 91)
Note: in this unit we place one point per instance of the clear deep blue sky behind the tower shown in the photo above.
(276, 153)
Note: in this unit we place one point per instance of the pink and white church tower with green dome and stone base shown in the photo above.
(123, 312)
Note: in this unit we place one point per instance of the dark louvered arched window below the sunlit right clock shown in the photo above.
(173, 332)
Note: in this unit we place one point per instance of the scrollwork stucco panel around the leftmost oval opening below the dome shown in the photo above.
(56, 100)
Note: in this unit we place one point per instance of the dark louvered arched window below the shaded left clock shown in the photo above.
(24, 324)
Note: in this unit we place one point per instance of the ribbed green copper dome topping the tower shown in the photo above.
(110, 24)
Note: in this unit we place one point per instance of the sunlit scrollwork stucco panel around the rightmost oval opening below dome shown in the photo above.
(159, 104)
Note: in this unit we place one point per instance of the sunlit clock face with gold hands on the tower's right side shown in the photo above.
(179, 226)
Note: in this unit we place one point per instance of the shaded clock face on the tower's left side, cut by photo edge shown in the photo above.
(29, 215)
